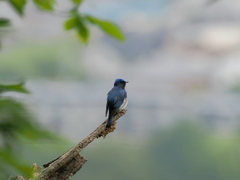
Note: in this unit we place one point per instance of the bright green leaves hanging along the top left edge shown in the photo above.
(76, 20)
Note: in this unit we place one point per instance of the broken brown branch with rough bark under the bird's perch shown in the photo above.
(69, 163)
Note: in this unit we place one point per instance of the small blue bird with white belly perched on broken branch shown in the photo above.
(116, 99)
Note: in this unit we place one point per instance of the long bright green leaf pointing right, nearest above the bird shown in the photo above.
(107, 26)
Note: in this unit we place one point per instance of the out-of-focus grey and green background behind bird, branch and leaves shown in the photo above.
(182, 61)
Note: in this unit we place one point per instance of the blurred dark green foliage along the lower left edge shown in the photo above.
(16, 125)
